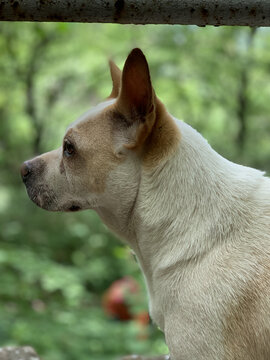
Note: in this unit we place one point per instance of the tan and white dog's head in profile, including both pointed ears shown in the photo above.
(102, 153)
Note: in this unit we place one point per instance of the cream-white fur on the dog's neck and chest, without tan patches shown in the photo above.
(194, 223)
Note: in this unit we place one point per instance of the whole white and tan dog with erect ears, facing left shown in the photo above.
(198, 223)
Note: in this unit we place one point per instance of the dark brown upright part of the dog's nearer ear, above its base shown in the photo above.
(136, 98)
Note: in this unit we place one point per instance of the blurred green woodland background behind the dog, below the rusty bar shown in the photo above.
(56, 270)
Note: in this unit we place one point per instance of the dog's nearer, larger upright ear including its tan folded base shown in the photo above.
(136, 101)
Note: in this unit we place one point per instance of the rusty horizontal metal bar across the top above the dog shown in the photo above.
(196, 12)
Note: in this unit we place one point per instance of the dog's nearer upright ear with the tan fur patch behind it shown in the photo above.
(156, 135)
